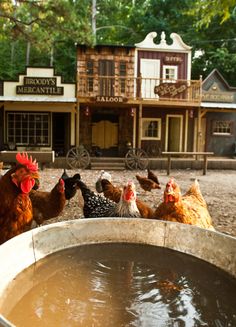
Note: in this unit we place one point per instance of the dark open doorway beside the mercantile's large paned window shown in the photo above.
(60, 133)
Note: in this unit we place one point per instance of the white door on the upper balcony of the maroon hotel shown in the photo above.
(150, 72)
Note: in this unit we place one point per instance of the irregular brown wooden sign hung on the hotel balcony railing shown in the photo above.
(169, 90)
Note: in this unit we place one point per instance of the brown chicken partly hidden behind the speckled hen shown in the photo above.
(114, 193)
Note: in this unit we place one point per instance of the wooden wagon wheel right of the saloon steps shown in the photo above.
(136, 159)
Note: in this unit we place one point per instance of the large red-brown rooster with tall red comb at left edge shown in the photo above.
(16, 208)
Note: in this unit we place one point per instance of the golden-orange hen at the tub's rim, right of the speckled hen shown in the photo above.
(191, 208)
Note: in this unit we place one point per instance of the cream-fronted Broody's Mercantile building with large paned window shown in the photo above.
(37, 112)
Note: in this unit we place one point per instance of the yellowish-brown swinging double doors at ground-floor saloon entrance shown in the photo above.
(105, 134)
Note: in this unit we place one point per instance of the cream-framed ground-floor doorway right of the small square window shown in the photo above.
(174, 131)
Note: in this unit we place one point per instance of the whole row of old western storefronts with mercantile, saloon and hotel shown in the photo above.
(139, 96)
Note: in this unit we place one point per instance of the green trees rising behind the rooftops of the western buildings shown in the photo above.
(55, 26)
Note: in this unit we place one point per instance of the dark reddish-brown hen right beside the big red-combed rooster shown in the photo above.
(47, 205)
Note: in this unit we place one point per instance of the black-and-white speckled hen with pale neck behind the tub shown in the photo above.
(98, 206)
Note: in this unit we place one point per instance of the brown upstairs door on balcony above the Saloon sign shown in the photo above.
(106, 82)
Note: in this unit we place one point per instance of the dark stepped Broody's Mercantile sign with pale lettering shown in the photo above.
(40, 85)
